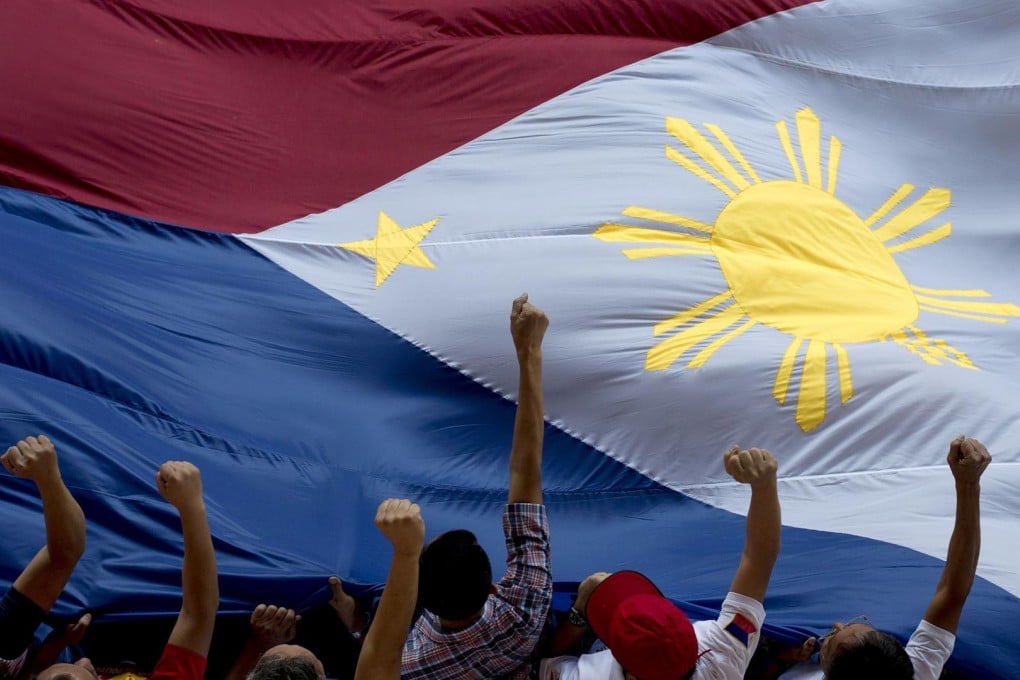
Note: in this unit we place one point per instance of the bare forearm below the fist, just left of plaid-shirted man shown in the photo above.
(381, 655)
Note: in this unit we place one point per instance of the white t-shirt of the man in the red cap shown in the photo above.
(730, 641)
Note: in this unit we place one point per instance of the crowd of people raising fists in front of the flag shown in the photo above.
(442, 615)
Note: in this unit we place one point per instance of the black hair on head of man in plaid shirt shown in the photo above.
(455, 577)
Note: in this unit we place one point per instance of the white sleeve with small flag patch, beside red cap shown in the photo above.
(732, 640)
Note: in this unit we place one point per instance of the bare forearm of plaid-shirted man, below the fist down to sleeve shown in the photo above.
(526, 453)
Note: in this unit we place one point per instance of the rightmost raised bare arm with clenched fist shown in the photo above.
(967, 459)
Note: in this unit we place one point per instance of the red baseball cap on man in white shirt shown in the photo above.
(648, 635)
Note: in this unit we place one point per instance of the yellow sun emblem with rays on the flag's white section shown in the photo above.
(800, 260)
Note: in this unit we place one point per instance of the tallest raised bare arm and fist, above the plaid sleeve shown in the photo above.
(528, 327)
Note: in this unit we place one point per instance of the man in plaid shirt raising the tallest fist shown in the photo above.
(472, 629)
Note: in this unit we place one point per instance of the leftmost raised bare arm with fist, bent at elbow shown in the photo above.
(44, 579)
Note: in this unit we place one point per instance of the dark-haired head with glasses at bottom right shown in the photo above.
(859, 651)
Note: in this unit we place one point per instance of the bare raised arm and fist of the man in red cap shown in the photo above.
(761, 547)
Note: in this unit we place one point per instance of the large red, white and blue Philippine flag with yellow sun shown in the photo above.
(282, 241)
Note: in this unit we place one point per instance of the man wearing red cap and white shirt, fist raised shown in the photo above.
(650, 639)
